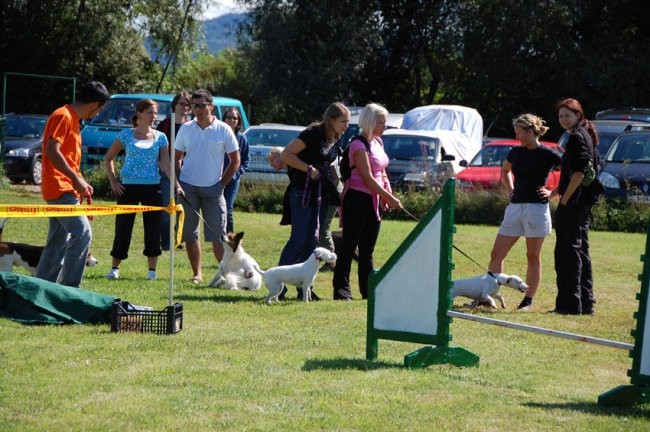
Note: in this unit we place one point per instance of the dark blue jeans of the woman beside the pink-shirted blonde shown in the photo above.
(303, 238)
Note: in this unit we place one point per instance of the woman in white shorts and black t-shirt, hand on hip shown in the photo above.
(523, 176)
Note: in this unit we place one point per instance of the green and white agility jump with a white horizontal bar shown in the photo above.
(425, 255)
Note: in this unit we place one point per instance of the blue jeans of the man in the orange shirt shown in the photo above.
(66, 249)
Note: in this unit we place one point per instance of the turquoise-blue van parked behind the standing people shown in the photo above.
(99, 133)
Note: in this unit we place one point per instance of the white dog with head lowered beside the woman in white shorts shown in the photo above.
(485, 288)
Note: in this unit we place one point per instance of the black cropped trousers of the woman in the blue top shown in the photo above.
(148, 195)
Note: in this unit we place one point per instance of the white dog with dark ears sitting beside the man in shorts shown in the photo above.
(237, 268)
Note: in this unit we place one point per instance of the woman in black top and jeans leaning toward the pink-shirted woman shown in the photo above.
(311, 188)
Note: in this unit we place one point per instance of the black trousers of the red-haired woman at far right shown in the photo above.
(575, 283)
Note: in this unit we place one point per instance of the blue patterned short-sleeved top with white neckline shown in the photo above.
(141, 161)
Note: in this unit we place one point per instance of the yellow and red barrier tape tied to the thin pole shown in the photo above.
(68, 210)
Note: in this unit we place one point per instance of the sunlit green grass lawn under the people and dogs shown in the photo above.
(239, 364)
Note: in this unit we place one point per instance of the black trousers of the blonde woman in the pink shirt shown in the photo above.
(360, 228)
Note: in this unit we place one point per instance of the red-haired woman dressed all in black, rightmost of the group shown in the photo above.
(575, 294)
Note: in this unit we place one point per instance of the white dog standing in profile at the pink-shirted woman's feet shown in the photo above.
(301, 275)
